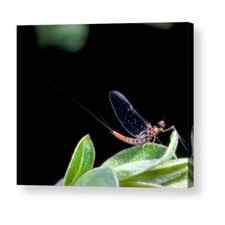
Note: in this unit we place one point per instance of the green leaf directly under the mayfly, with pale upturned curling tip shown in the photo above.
(135, 160)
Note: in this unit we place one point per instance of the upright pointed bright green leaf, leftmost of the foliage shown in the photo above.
(81, 161)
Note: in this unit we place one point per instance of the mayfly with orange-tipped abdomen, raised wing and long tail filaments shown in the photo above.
(138, 127)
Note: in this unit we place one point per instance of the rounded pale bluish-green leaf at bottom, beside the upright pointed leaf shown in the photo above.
(103, 177)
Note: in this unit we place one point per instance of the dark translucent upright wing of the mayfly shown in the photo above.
(130, 119)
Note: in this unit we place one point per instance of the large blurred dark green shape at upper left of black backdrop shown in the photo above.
(69, 38)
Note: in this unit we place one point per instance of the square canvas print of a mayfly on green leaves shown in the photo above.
(105, 105)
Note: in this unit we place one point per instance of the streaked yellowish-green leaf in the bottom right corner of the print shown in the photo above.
(172, 173)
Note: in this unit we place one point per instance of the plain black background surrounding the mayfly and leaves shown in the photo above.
(153, 67)
